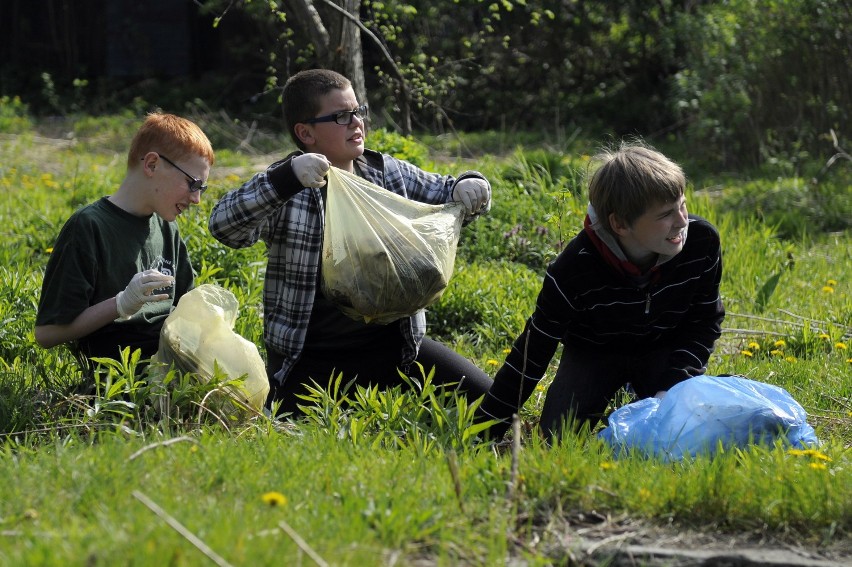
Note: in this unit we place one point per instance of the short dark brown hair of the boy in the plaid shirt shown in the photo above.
(302, 92)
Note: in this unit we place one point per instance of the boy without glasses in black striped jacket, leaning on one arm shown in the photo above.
(630, 298)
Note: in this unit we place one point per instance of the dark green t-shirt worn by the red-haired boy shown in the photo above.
(99, 249)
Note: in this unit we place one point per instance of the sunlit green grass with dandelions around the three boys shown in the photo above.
(98, 478)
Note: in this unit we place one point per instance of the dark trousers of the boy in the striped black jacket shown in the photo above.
(585, 384)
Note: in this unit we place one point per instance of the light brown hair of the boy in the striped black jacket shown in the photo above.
(630, 179)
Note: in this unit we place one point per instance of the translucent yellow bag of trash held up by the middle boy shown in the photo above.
(384, 256)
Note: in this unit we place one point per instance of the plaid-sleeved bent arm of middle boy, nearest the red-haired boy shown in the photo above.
(239, 219)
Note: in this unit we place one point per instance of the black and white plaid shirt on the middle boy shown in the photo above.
(273, 206)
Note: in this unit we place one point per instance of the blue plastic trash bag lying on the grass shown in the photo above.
(698, 415)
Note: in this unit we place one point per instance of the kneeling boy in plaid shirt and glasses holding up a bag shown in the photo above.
(307, 337)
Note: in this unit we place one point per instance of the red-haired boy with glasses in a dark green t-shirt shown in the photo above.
(119, 265)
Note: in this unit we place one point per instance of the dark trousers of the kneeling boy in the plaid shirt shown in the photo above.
(377, 365)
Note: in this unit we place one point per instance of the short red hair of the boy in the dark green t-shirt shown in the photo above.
(175, 137)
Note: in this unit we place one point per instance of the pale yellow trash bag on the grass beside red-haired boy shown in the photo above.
(199, 333)
